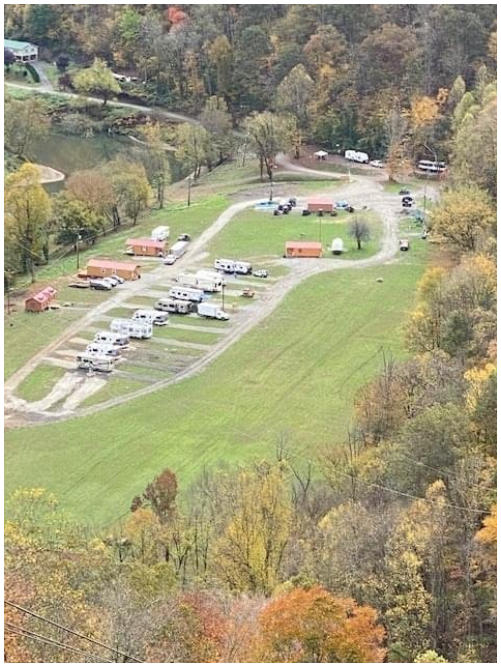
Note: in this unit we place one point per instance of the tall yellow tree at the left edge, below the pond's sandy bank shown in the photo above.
(27, 213)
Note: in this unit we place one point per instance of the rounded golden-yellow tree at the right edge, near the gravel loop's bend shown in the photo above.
(464, 217)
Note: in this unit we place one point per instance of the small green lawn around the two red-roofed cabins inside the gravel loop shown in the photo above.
(259, 234)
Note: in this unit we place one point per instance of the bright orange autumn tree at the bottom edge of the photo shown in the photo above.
(311, 625)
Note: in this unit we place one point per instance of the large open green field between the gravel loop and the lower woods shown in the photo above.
(295, 376)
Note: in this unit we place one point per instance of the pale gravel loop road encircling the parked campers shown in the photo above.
(362, 191)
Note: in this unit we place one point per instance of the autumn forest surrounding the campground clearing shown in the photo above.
(382, 548)
